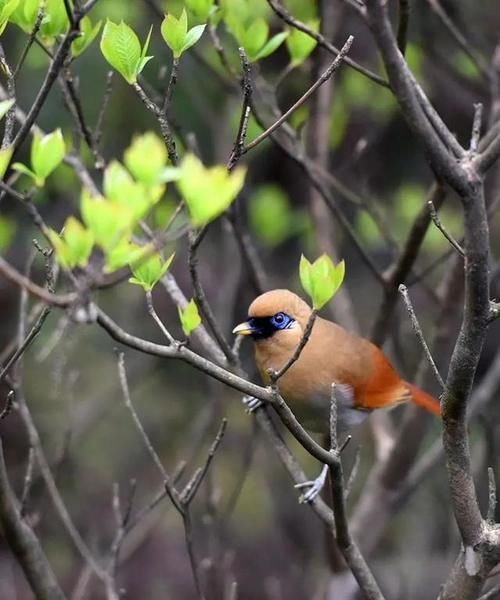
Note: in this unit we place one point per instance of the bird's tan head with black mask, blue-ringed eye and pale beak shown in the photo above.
(275, 314)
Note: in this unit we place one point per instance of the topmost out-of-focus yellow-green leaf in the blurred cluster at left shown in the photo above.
(146, 158)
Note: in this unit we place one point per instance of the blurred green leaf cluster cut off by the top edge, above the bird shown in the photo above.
(251, 31)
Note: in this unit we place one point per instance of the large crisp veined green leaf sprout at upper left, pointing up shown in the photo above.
(121, 48)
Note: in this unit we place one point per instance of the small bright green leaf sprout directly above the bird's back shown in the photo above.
(321, 279)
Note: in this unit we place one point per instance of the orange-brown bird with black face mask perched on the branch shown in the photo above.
(364, 378)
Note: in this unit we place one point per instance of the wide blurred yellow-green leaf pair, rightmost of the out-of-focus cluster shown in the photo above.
(207, 191)
